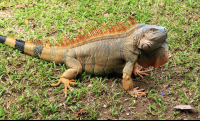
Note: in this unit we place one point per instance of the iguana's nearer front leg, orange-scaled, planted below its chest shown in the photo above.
(128, 83)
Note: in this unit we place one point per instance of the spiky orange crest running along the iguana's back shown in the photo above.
(103, 30)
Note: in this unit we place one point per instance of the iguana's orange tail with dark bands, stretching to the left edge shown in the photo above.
(56, 54)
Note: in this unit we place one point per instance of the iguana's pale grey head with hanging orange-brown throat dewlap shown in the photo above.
(153, 46)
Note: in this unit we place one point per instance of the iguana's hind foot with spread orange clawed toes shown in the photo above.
(66, 83)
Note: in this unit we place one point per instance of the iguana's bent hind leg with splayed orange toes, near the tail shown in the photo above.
(74, 68)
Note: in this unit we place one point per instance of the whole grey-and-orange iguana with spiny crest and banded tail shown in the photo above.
(104, 51)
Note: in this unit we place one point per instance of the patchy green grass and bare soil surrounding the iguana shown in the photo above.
(25, 91)
